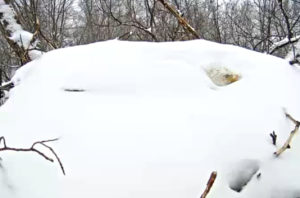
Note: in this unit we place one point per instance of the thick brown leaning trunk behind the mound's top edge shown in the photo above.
(181, 20)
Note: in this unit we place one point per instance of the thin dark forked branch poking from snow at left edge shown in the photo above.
(32, 149)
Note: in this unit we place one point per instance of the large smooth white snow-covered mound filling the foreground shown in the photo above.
(144, 120)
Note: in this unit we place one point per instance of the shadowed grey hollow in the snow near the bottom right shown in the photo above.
(242, 173)
